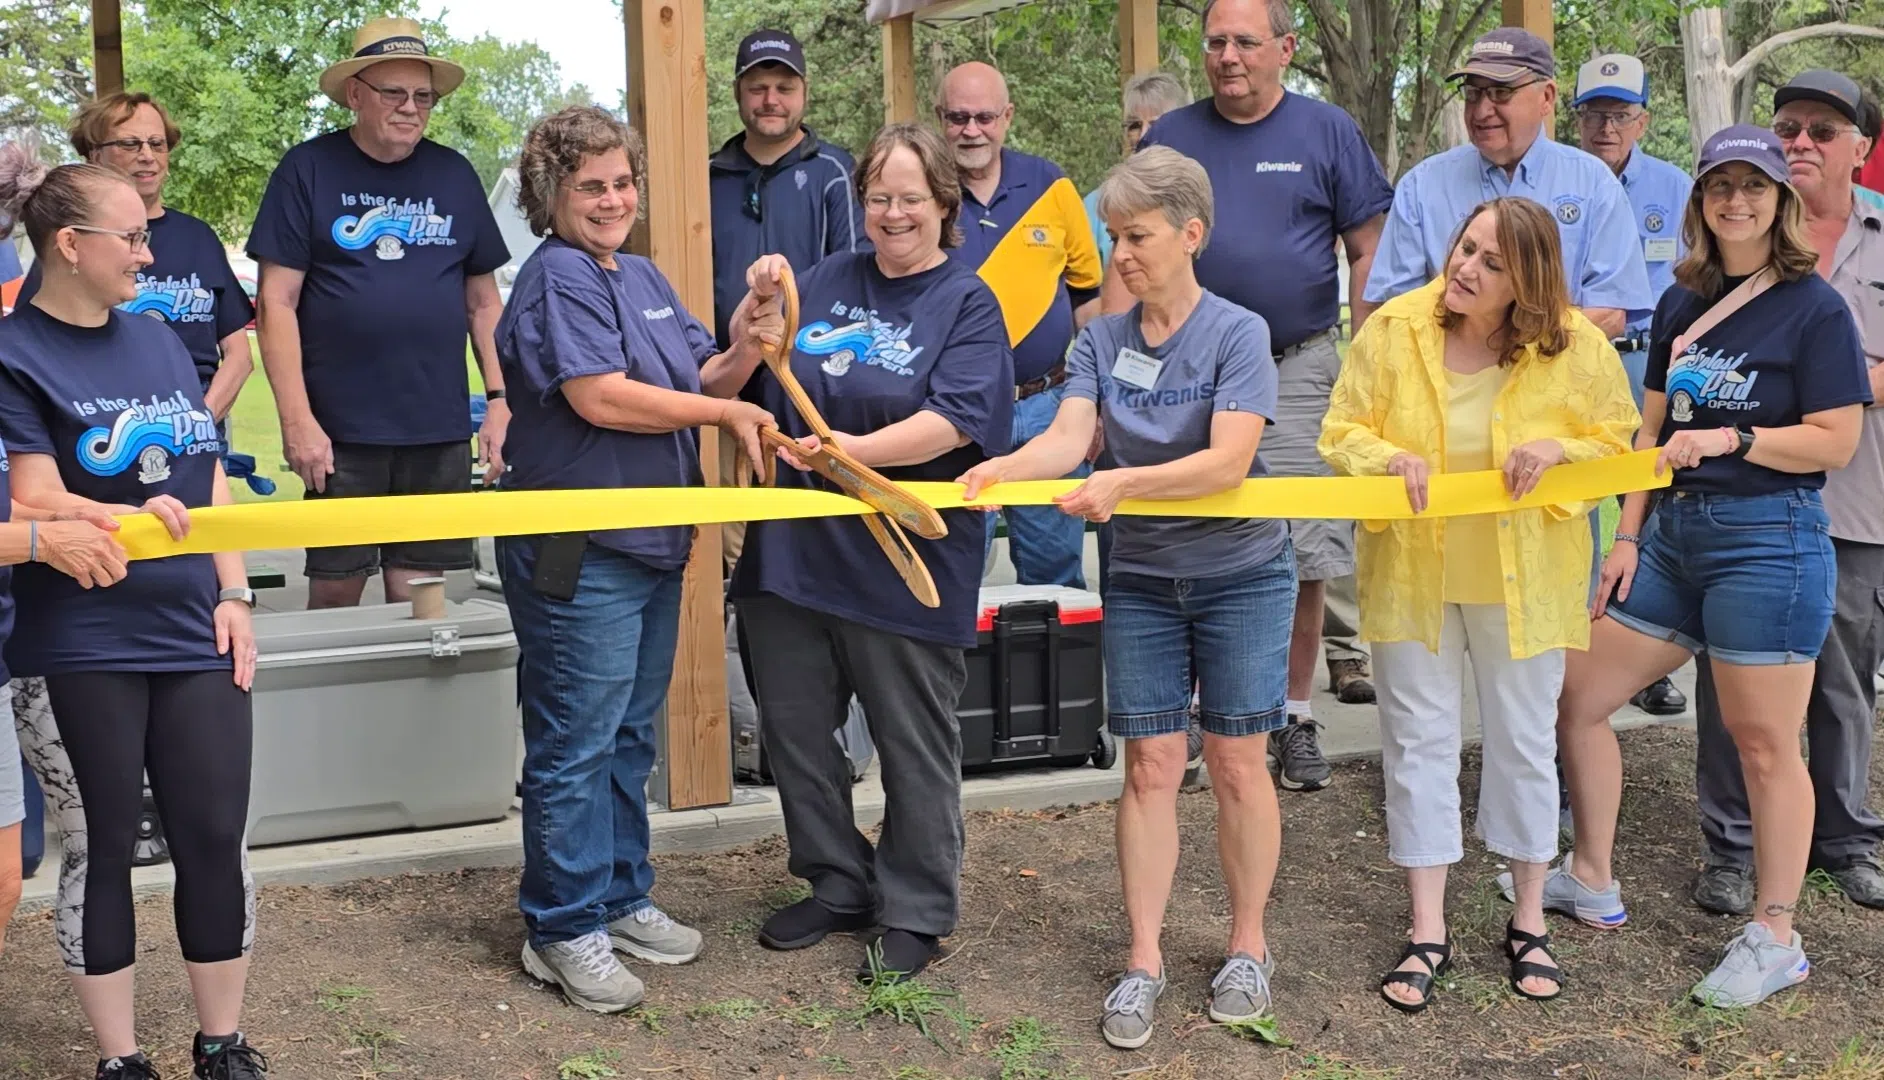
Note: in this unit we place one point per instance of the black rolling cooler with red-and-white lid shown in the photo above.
(1035, 691)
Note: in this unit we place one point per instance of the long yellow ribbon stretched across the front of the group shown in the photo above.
(404, 519)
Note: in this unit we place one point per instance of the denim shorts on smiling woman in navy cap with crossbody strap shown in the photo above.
(1747, 580)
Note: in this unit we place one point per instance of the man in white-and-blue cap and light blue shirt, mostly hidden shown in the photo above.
(1612, 118)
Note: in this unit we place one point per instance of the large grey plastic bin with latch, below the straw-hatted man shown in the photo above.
(368, 721)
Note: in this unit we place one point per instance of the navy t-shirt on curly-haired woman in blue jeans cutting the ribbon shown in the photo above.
(570, 318)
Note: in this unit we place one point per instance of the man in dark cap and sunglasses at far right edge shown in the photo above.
(1817, 120)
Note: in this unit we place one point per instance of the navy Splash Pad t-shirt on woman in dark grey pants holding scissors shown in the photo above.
(871, 352)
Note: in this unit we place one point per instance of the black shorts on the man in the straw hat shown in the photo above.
(365, 470)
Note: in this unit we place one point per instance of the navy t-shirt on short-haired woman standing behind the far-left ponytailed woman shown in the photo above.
(187, 286)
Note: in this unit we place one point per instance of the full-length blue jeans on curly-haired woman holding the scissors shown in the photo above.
(593, 681)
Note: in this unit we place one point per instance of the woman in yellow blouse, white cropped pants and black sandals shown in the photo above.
(1487, 368)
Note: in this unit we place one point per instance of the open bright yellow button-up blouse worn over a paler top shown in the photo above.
(1393, 399)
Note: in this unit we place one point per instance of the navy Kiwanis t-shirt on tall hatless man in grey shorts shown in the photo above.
(1288, 186)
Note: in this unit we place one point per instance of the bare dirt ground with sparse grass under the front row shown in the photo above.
(419, 977)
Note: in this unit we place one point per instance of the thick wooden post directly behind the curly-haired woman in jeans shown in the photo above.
(668, 105)
